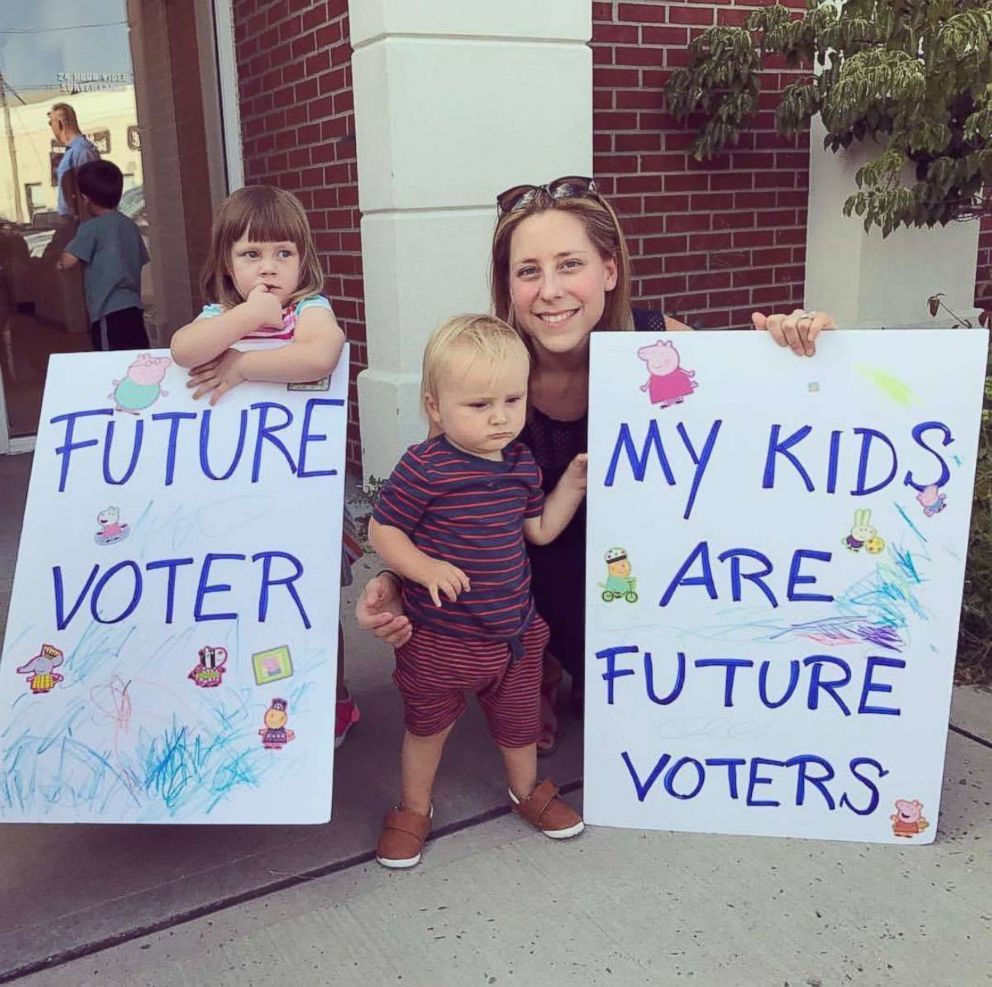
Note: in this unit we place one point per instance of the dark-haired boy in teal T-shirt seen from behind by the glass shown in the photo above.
(111, 248)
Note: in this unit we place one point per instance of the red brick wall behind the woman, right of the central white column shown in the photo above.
(710, 242)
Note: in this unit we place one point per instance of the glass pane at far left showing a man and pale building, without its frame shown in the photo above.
(66, 87)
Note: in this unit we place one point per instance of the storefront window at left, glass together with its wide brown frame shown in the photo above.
(137, 81)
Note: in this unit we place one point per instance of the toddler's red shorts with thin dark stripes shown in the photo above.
(434, 671)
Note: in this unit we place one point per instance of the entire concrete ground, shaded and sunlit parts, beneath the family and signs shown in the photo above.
(492, 902)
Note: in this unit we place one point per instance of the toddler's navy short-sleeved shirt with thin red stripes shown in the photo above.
(467, 511)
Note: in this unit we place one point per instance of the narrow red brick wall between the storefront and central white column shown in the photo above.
(298, 126)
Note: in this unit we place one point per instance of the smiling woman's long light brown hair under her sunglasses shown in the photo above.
(603, 229)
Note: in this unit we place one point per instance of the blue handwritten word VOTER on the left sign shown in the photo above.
(113, 593)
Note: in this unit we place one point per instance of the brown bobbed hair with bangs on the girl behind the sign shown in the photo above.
(266, 215)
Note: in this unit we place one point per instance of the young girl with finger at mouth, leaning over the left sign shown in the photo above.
(267, 321)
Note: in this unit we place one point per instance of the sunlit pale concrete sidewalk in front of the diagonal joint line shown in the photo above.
(496, 904)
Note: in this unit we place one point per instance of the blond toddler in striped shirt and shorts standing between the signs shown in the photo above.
(451, 521)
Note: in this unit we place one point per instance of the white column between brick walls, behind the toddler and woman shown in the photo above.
(455, 100)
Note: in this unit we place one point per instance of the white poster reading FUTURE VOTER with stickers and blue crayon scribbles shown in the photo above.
(171, 646)
